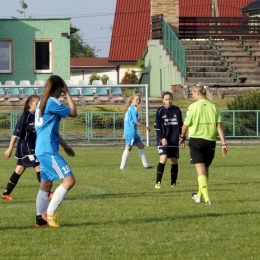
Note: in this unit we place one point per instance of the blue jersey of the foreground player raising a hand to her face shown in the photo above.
(47, 126)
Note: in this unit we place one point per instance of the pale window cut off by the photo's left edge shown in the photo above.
(6, 56)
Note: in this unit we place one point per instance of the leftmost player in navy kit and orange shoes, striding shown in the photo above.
(25, 133)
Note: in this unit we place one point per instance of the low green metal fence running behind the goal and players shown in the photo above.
(107, 127)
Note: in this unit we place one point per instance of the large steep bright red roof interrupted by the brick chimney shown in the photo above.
(131, 28)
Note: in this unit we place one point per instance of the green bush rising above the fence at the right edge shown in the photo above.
(251, 101)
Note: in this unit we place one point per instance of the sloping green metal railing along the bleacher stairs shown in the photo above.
(174, 46)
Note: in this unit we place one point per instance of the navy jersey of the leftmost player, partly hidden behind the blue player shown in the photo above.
(26, 133)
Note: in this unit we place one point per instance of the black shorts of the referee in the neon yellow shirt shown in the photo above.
(202, 151)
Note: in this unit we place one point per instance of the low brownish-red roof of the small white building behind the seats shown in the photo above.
(91, 62)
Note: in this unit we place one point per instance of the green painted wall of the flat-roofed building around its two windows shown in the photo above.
(23, 32)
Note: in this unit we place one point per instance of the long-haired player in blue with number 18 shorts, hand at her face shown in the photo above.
(48, 114)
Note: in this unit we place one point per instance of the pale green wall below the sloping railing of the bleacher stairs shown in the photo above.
(159, 74)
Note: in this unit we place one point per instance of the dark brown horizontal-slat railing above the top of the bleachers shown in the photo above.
(219, 27)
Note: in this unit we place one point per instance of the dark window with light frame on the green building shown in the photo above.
(43, 56)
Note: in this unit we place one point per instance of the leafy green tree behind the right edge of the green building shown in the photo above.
(78, 48)
